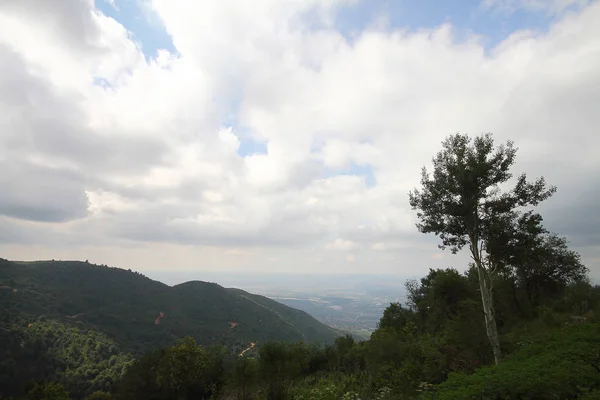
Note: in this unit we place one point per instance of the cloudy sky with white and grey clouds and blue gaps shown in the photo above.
(281, 135)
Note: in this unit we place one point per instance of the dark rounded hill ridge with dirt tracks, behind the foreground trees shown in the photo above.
(140, 313)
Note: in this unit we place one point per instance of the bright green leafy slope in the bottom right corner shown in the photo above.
(551, 365)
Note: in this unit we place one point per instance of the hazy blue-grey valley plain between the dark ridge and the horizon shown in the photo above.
(350, 303)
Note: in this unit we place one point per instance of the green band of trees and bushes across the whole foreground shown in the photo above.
(434, 347)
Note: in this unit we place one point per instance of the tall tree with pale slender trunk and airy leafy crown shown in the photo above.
(463, 204)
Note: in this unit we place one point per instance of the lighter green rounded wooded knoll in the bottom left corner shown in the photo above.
(84, 361)
